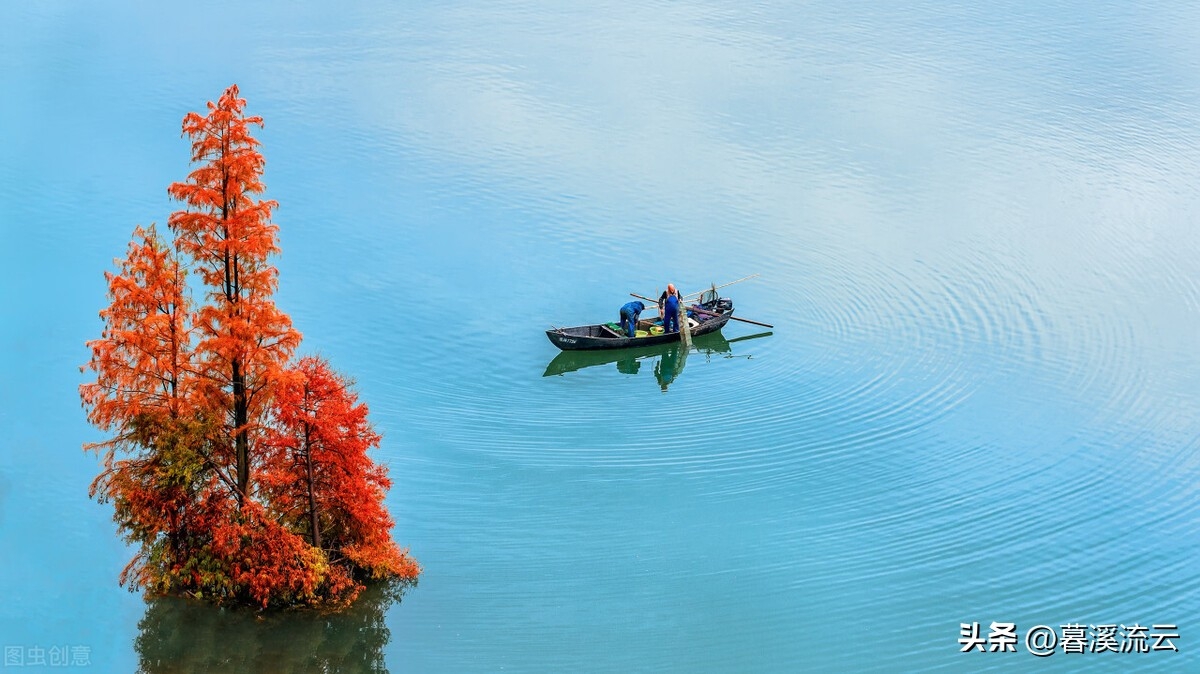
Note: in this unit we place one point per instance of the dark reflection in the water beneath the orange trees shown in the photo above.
(184, 636)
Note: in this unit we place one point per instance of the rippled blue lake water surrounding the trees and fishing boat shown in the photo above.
(976, 231)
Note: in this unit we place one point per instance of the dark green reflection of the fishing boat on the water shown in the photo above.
(669, 360)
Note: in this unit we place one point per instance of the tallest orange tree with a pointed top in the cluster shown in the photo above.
(244, 339)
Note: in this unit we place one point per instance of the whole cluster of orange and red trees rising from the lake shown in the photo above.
(239, 474)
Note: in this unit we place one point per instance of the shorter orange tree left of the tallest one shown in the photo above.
(143, 394)
